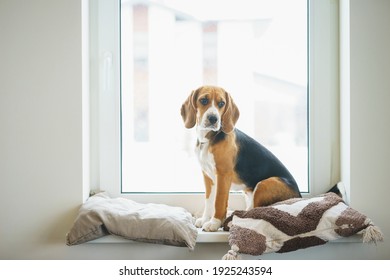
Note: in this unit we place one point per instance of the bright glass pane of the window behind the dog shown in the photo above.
(255, 50)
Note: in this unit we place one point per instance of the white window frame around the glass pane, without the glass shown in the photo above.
(105, 86)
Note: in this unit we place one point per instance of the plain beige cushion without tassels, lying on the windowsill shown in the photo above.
(101, 215)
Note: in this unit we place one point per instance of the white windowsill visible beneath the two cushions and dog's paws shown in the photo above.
(213, 237)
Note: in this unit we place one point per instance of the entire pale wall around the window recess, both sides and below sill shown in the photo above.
(41, 135)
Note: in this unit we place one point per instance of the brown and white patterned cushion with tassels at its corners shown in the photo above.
(295, 224)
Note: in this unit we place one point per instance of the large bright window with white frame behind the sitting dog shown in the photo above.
(154, 53)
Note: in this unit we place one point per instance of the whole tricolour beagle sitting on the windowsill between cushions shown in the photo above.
(230, 159)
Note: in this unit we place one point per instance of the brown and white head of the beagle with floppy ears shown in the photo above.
(210, 108)
